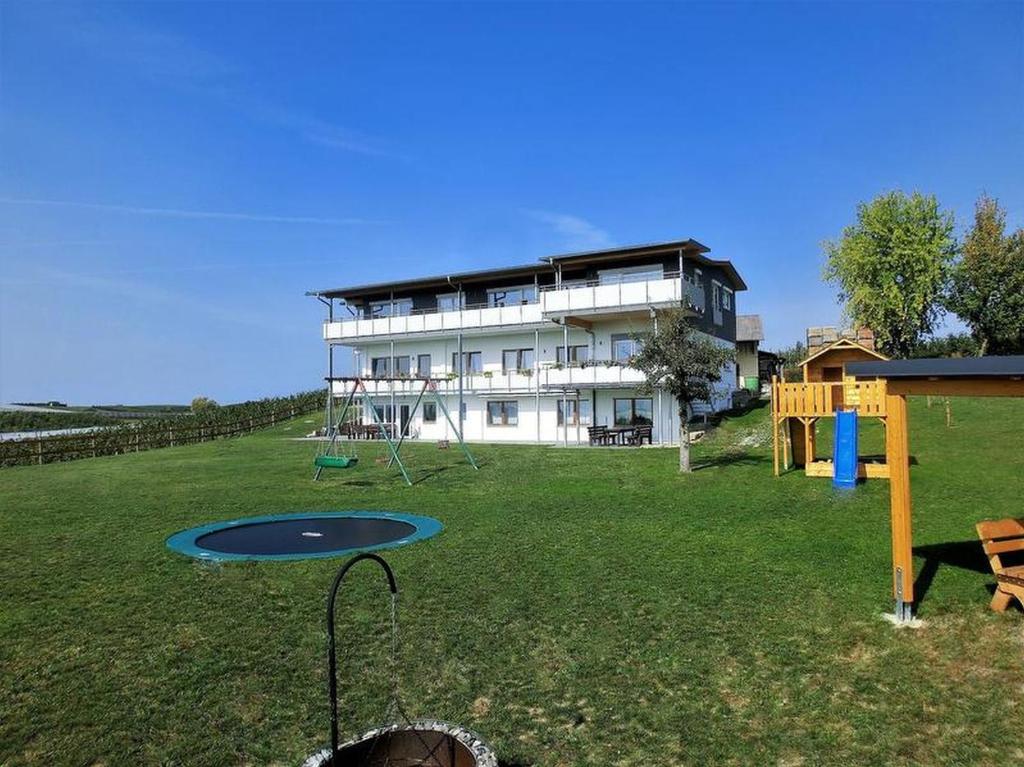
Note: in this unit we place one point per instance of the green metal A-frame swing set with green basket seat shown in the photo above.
(338, 448)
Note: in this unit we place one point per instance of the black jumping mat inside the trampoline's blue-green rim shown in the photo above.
(306, 536)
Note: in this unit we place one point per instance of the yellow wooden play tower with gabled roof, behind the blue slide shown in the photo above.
(827, 388)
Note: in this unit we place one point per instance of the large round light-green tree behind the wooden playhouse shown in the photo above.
(892, 268)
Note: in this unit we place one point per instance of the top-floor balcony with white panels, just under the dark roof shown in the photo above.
(578, 299)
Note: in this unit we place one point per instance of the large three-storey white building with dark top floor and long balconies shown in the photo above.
(545, 347)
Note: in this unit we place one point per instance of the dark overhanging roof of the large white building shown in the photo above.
(694, 249)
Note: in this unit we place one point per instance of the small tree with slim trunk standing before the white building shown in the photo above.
(684, 362)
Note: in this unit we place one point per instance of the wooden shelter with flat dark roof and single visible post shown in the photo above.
(992, 376)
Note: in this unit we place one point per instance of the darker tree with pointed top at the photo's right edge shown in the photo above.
(988, 286)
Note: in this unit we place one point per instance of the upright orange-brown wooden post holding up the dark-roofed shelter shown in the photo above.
(899, 459)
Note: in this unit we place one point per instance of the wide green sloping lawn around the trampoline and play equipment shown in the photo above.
(581, 608)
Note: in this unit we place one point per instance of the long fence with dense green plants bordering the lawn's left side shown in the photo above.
(137, 438)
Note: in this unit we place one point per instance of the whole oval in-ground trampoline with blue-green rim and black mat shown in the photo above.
(305, 536)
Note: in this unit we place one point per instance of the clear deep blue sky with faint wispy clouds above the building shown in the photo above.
(175, 177)
